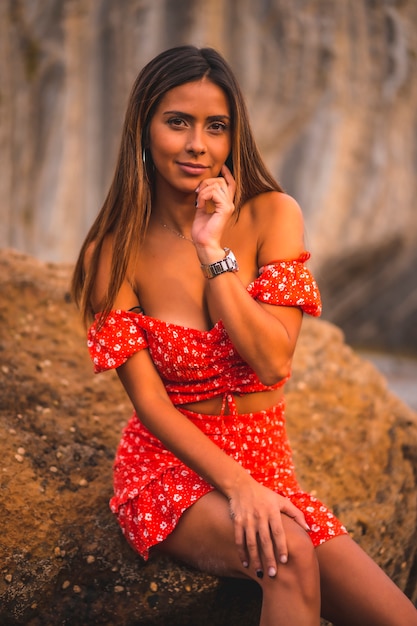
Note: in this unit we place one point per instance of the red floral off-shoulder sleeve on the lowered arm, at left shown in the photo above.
(118, 338)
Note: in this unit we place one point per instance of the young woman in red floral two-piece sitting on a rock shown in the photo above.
(195, 272)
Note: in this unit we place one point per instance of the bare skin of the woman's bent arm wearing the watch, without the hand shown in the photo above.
(264, 335)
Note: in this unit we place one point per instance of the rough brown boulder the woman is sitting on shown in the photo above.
(62, 558)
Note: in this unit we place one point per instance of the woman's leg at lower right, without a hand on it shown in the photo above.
(356, 591)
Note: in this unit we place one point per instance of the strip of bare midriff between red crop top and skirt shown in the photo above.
(247, 403)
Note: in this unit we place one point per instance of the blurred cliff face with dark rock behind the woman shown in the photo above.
(333, 100)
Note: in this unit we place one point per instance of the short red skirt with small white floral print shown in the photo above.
(153, 488)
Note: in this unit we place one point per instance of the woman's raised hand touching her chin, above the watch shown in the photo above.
(214, 206)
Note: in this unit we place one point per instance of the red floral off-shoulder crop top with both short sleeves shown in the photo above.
(195, 365)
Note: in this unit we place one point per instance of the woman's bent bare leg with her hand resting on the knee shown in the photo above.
(204, 538)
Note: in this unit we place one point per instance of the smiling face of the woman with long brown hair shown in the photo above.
(190, 136)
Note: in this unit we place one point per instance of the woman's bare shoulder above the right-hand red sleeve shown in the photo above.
(280, 226)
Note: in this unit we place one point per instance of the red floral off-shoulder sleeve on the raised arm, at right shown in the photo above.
(288, 283)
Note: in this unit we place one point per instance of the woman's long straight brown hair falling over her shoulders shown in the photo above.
(127, 208)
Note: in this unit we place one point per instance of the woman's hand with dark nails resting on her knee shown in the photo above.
(256, 512)
